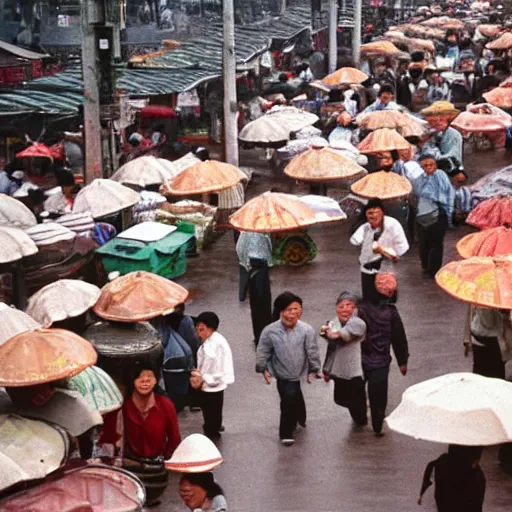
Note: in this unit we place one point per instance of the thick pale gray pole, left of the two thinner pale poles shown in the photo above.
(229, 75)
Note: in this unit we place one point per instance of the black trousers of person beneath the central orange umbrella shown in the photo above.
(260, 298)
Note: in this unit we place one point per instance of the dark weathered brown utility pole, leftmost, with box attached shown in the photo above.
(91, 14)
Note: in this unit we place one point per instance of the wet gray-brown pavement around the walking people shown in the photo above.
(332, 466)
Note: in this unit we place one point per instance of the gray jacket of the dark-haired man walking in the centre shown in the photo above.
(288, 354)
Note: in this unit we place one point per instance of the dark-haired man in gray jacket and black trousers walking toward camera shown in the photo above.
(287, 351)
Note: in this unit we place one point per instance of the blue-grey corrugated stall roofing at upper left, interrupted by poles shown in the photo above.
(182, 69)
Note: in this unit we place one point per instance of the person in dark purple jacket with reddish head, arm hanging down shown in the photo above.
(384, 330)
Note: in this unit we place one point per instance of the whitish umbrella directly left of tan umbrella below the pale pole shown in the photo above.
(145, 171)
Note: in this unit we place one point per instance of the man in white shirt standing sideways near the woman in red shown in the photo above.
(215, 369)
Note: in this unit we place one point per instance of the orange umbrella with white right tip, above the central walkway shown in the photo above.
(273, 211)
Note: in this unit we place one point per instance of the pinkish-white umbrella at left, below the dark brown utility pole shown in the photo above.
(104, 197)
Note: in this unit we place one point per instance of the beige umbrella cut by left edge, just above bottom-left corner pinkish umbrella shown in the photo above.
(29, 449)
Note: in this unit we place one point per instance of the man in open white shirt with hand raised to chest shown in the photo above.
(383, 242)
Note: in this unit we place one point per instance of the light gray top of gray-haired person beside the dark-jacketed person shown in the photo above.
(343, 356)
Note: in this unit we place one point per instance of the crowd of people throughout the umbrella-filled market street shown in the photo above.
(399, 117)
